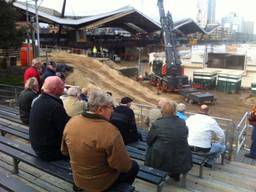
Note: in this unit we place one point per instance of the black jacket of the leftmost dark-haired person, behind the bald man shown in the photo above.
(25, 99)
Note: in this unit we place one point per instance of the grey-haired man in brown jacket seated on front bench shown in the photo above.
(98, 156)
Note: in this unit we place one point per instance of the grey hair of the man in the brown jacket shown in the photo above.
(99, 98)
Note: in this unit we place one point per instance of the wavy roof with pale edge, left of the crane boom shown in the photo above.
(123, 17)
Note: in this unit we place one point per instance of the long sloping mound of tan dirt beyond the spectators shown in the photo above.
(91, 73)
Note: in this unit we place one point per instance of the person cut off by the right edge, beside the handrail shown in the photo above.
(252, 121)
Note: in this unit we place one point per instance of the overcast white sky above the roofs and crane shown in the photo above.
(179, 8)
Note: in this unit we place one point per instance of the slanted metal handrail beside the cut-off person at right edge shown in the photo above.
(242, 128)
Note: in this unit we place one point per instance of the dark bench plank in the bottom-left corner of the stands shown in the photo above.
(9, 183)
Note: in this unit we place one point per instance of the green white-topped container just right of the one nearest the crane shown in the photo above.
(229, 83)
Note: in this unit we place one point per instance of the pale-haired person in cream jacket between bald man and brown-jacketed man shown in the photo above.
(72, 104)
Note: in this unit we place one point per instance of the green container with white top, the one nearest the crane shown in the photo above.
(205, 79)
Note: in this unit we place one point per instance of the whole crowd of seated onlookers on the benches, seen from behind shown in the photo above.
(89, 130)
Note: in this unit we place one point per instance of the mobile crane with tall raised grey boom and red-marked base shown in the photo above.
(167, 75)
